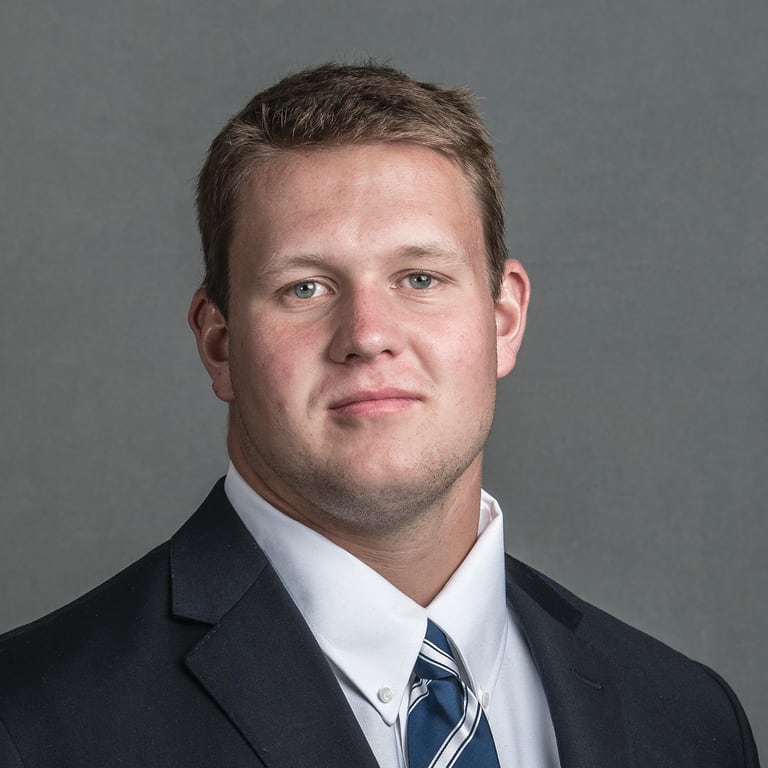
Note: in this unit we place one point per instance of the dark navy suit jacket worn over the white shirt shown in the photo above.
(196, 656)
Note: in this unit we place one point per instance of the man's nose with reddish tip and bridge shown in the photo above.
(366, 325)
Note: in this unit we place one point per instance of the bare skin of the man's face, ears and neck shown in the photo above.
(361, 352)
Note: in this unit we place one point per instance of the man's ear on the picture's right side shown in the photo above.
(511, 309)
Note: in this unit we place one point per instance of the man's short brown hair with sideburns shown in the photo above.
(333, 105)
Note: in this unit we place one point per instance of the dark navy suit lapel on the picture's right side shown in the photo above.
(582, 697)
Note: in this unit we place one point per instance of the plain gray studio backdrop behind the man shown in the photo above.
(629, 444)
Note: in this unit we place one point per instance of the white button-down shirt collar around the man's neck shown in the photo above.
(370, 631)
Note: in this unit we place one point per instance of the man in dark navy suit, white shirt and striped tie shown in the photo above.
(341, 598)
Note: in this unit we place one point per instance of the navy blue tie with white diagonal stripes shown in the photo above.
(447, 727)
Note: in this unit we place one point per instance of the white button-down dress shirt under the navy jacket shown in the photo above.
(371, 632)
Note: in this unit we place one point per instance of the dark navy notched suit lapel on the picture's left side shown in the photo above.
(259, 662)
